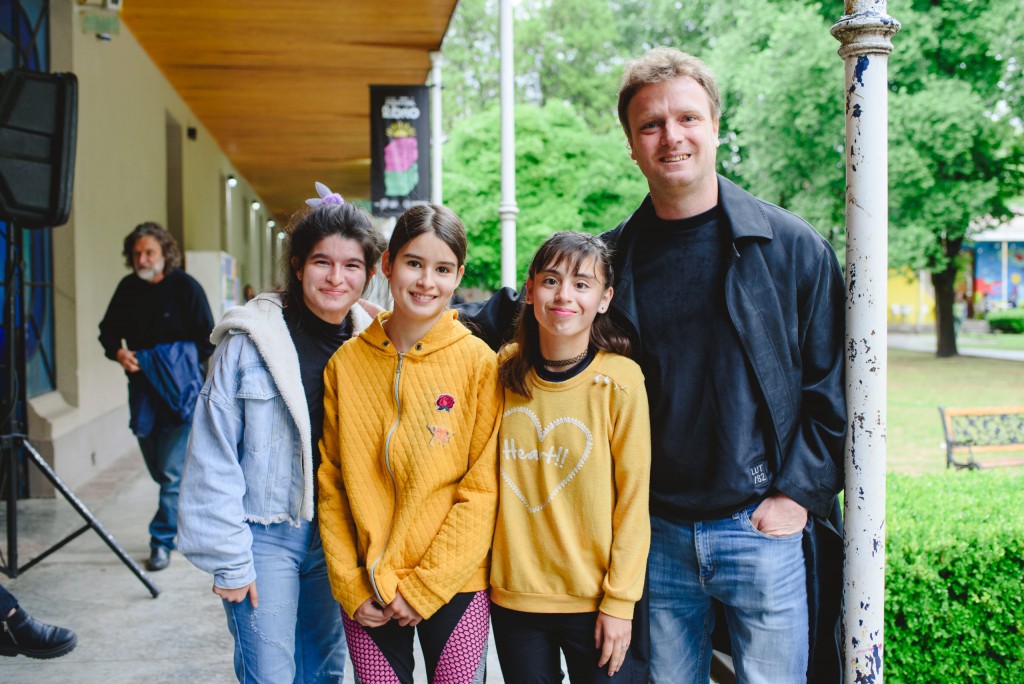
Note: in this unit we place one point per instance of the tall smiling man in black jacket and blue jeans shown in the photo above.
(737, 312)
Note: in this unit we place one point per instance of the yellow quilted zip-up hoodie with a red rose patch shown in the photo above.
(409, 476)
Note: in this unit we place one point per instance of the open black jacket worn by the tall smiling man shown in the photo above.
(785, 294)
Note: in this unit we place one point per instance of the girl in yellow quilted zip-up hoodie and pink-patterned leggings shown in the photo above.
(408, 482)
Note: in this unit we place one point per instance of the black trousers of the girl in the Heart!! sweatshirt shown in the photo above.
(529, 646)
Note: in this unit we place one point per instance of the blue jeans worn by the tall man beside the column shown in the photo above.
(759, 580)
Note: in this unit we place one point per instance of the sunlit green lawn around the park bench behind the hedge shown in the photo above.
(919, 383)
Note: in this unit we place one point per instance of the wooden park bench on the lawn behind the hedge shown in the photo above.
(994, 431)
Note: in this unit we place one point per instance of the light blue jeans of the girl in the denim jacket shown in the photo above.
(296, 634)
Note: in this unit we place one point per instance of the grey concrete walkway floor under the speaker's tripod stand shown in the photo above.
(124, 635)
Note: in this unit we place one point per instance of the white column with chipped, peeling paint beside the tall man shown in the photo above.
(866, 34)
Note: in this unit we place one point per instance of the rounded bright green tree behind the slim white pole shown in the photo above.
(568, 179)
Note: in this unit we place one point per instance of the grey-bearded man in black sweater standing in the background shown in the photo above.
(158, 328)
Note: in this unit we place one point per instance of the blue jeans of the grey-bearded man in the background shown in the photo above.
(164, 453)
